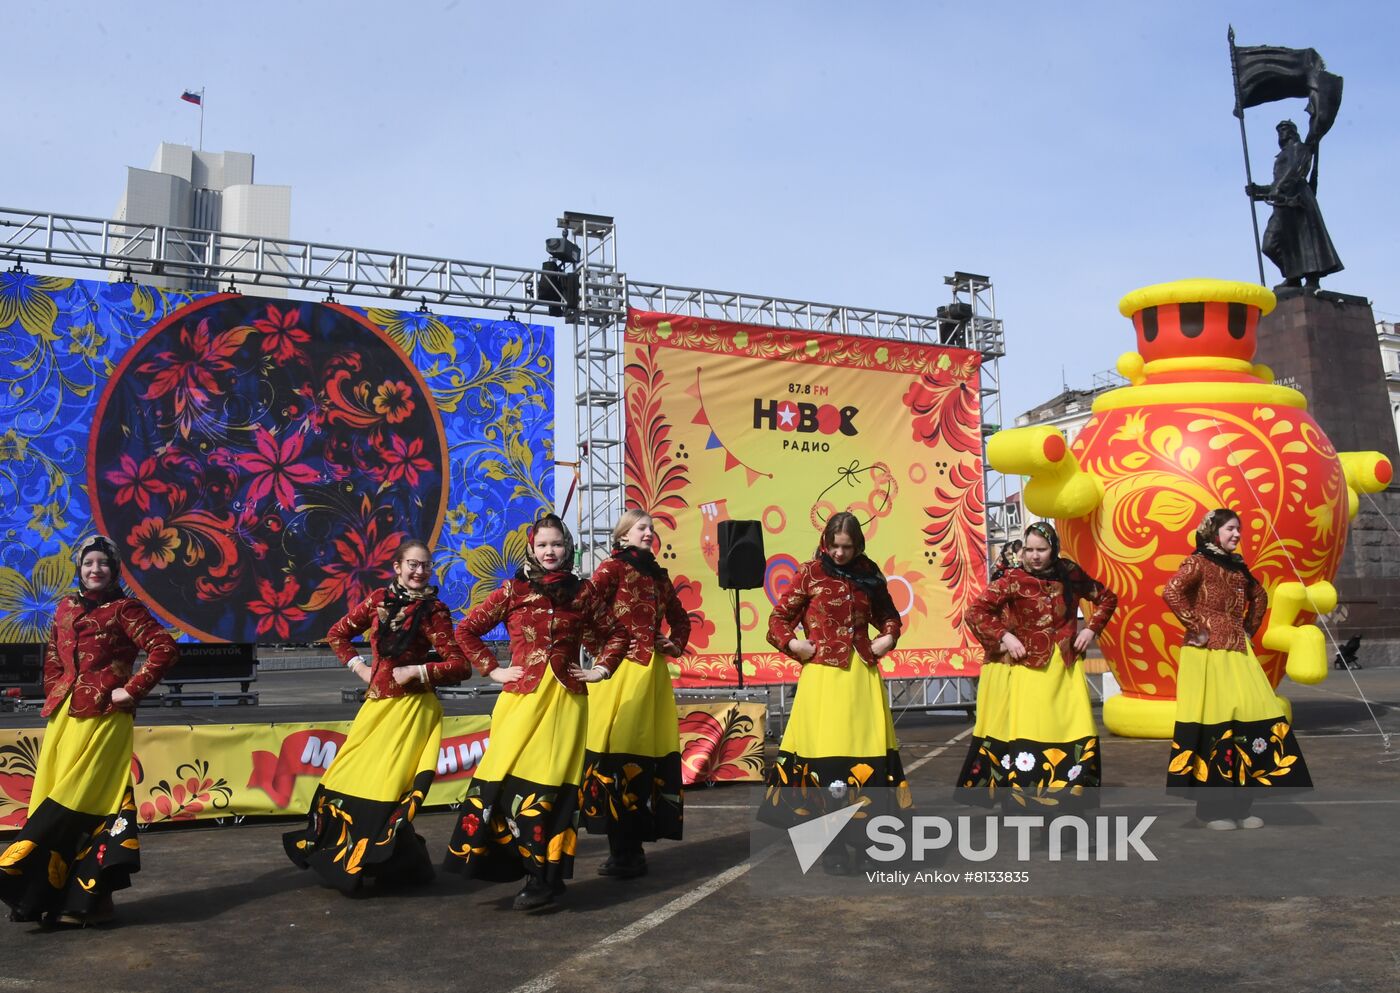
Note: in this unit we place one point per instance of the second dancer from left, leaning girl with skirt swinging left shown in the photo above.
(360, 823)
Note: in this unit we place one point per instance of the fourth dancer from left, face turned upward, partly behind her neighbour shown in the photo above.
(632, 768)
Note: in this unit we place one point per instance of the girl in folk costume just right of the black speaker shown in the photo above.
(839, 747)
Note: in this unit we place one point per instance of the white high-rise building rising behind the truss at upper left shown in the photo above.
(206, 191)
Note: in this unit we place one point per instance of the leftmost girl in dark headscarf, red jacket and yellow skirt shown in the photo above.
(79, 844)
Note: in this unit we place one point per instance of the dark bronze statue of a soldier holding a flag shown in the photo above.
(1297, 239)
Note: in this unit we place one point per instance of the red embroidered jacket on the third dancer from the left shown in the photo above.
(542, 637)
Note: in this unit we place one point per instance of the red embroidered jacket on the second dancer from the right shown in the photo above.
(1035, 611)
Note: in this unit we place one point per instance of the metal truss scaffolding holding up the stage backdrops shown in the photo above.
(596, 306)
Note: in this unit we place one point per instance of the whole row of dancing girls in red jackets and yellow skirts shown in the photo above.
(600, 747)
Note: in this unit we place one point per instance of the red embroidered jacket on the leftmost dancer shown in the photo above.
(92, 651)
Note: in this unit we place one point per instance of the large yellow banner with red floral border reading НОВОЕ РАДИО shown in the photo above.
(740, 422)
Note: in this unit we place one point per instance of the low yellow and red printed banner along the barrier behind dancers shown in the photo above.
(190, 774)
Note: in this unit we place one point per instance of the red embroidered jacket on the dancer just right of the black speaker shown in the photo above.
(835, 614)
